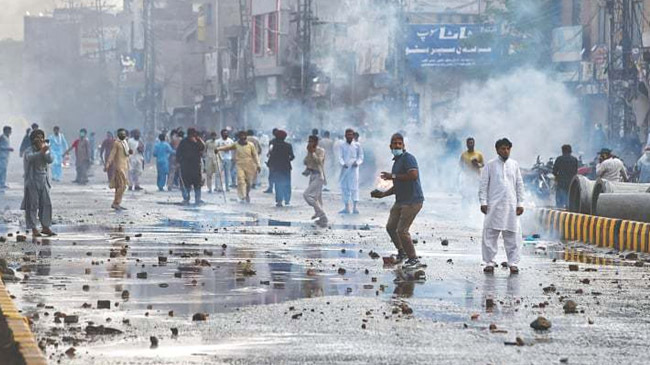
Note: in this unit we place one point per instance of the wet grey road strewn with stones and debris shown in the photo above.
(277, 290)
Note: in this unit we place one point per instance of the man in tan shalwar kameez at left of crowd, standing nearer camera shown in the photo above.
(118, 160)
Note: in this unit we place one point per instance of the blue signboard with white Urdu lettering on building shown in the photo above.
(442, 45)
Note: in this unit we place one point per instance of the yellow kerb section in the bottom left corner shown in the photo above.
(20, 331)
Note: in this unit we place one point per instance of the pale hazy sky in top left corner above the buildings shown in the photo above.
(13, 11)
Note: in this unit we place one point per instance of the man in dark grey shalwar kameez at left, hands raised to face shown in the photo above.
(36, 201)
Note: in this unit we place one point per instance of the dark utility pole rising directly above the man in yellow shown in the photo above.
(248, 72)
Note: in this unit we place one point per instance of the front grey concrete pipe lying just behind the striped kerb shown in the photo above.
(634, 207)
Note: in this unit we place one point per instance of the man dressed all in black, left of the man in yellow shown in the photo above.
(188, 156)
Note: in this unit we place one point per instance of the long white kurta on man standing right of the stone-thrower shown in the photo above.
(502, 190)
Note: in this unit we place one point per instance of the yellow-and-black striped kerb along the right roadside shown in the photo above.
(599, 231)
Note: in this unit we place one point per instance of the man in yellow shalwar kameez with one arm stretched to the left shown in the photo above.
(248, 165)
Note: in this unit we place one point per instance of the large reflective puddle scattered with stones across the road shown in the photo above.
(189, 272)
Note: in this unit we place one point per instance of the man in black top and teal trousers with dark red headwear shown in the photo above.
(280, 167)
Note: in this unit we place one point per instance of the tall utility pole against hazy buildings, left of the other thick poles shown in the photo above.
(149, 68)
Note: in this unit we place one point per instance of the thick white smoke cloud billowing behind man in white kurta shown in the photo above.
(537, 113)
